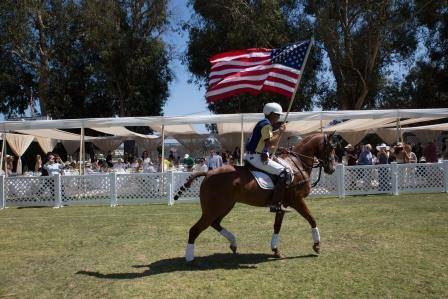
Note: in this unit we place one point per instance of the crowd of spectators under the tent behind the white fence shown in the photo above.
(361, 154)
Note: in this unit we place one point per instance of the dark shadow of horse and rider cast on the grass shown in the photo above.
(226, 261)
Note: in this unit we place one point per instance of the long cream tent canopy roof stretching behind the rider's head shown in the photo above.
(354, 123)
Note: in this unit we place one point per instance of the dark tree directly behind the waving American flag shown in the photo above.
(221, 26)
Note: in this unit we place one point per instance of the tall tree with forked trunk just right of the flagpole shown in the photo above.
(361, 38)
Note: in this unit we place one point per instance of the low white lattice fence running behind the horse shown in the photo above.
(121, 189)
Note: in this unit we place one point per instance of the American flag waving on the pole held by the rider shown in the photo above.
(256, 70)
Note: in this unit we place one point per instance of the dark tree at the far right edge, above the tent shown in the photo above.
(426, 84)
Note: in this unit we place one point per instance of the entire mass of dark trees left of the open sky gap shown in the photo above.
(84, 58)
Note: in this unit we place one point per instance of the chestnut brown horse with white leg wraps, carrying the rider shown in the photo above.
(223, 187)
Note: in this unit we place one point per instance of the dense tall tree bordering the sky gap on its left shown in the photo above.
(133, 58)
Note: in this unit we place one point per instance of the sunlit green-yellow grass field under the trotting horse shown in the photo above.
(372, 246)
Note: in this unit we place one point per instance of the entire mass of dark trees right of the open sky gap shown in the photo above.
(360, 45)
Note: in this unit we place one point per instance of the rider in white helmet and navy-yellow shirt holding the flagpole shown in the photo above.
(257, 152)
